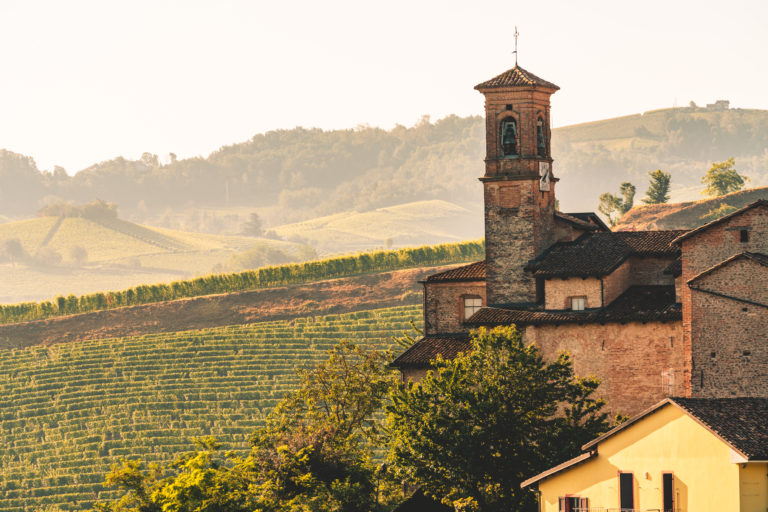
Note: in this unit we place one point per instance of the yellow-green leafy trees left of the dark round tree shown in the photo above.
(314, 454)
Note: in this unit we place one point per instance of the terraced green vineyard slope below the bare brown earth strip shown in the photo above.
(69, 411)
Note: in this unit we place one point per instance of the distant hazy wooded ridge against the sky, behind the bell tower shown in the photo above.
(287, 176)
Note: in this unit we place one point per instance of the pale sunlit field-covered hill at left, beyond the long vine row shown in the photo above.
(117, 254)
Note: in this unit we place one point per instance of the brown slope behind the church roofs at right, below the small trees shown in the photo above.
(687, 215)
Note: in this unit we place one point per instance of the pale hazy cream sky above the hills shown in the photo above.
(84, 82)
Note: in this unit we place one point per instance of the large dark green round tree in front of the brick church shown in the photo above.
(477, 426)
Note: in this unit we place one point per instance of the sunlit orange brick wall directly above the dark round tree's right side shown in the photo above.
(638, 363)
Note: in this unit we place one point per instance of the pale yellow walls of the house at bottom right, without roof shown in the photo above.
(667, 440)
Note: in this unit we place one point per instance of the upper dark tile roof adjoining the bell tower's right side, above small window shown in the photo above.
(598, 254)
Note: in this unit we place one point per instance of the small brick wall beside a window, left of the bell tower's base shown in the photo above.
(444, 305)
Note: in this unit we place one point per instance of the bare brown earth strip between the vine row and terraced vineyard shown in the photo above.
(323, 297)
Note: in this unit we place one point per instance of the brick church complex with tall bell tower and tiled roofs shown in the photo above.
(653, 314)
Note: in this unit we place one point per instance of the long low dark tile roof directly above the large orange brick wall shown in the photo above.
(637, 304)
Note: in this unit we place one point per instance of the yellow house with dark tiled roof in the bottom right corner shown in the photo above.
(683, 454)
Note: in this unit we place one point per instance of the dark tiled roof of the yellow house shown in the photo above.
(740, 422)
